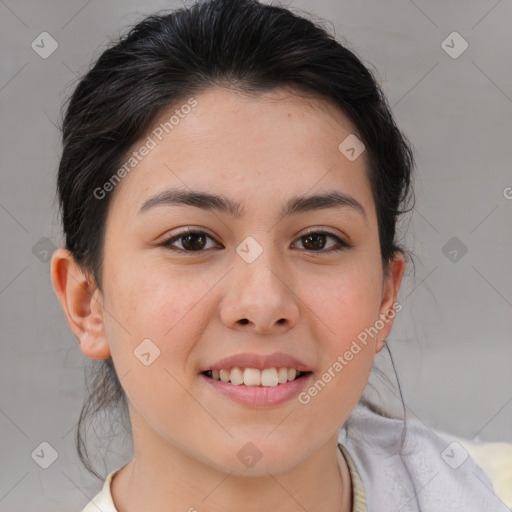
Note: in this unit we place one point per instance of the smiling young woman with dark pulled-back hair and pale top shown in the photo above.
(230, 185)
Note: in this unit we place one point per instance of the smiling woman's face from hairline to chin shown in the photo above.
(305, 283)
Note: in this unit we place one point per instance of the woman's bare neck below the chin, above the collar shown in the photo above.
(158, 478)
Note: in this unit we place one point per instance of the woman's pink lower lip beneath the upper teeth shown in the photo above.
(259, 396)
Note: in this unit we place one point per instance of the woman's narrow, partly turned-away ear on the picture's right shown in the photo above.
(389, 306)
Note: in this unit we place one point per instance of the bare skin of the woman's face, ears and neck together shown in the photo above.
(259, 150)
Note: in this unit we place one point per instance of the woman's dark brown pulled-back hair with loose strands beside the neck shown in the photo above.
(169, 57)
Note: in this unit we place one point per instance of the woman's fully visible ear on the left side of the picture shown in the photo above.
(82, 304)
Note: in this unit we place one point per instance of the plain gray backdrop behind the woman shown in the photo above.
(451, 342)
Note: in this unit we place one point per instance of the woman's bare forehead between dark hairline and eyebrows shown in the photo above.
(250, 147)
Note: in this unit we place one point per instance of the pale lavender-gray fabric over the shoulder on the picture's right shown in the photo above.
(431, 474)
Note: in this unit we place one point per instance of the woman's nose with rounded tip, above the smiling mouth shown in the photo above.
(259, 298)
